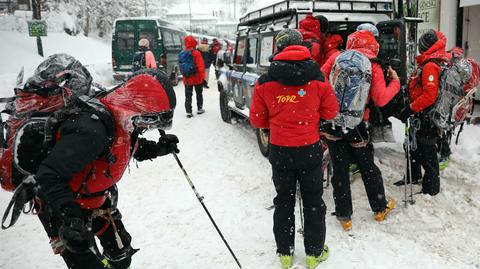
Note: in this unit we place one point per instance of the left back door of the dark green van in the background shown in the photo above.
(123, 46)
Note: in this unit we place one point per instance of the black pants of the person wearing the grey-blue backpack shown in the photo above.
(343, 154)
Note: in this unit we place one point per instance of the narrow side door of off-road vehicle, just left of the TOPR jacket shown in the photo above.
(251, 69)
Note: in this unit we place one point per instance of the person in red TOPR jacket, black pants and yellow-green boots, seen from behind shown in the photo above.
(290, 100)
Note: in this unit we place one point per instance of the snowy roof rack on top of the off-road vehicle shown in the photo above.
(291, 7)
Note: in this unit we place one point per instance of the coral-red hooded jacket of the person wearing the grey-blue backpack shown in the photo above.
(381, 94)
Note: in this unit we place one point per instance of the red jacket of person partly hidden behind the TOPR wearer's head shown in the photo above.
(311, 32)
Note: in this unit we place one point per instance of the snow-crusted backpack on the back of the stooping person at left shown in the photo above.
(59, 88)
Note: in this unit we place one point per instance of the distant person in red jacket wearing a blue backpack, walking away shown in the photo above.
(196, 80)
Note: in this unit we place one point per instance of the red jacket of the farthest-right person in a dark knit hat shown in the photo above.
(424, 86)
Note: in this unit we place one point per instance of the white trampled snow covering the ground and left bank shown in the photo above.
(169, 226)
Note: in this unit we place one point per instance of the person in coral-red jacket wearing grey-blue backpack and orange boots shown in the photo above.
(352, 143)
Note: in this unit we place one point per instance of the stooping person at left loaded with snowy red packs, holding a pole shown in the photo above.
(72, 178)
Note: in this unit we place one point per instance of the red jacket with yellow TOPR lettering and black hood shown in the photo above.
(291, 98)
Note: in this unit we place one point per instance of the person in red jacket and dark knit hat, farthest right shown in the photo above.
(423, 91)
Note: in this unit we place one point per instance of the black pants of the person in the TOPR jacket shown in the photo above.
(303, 165)
